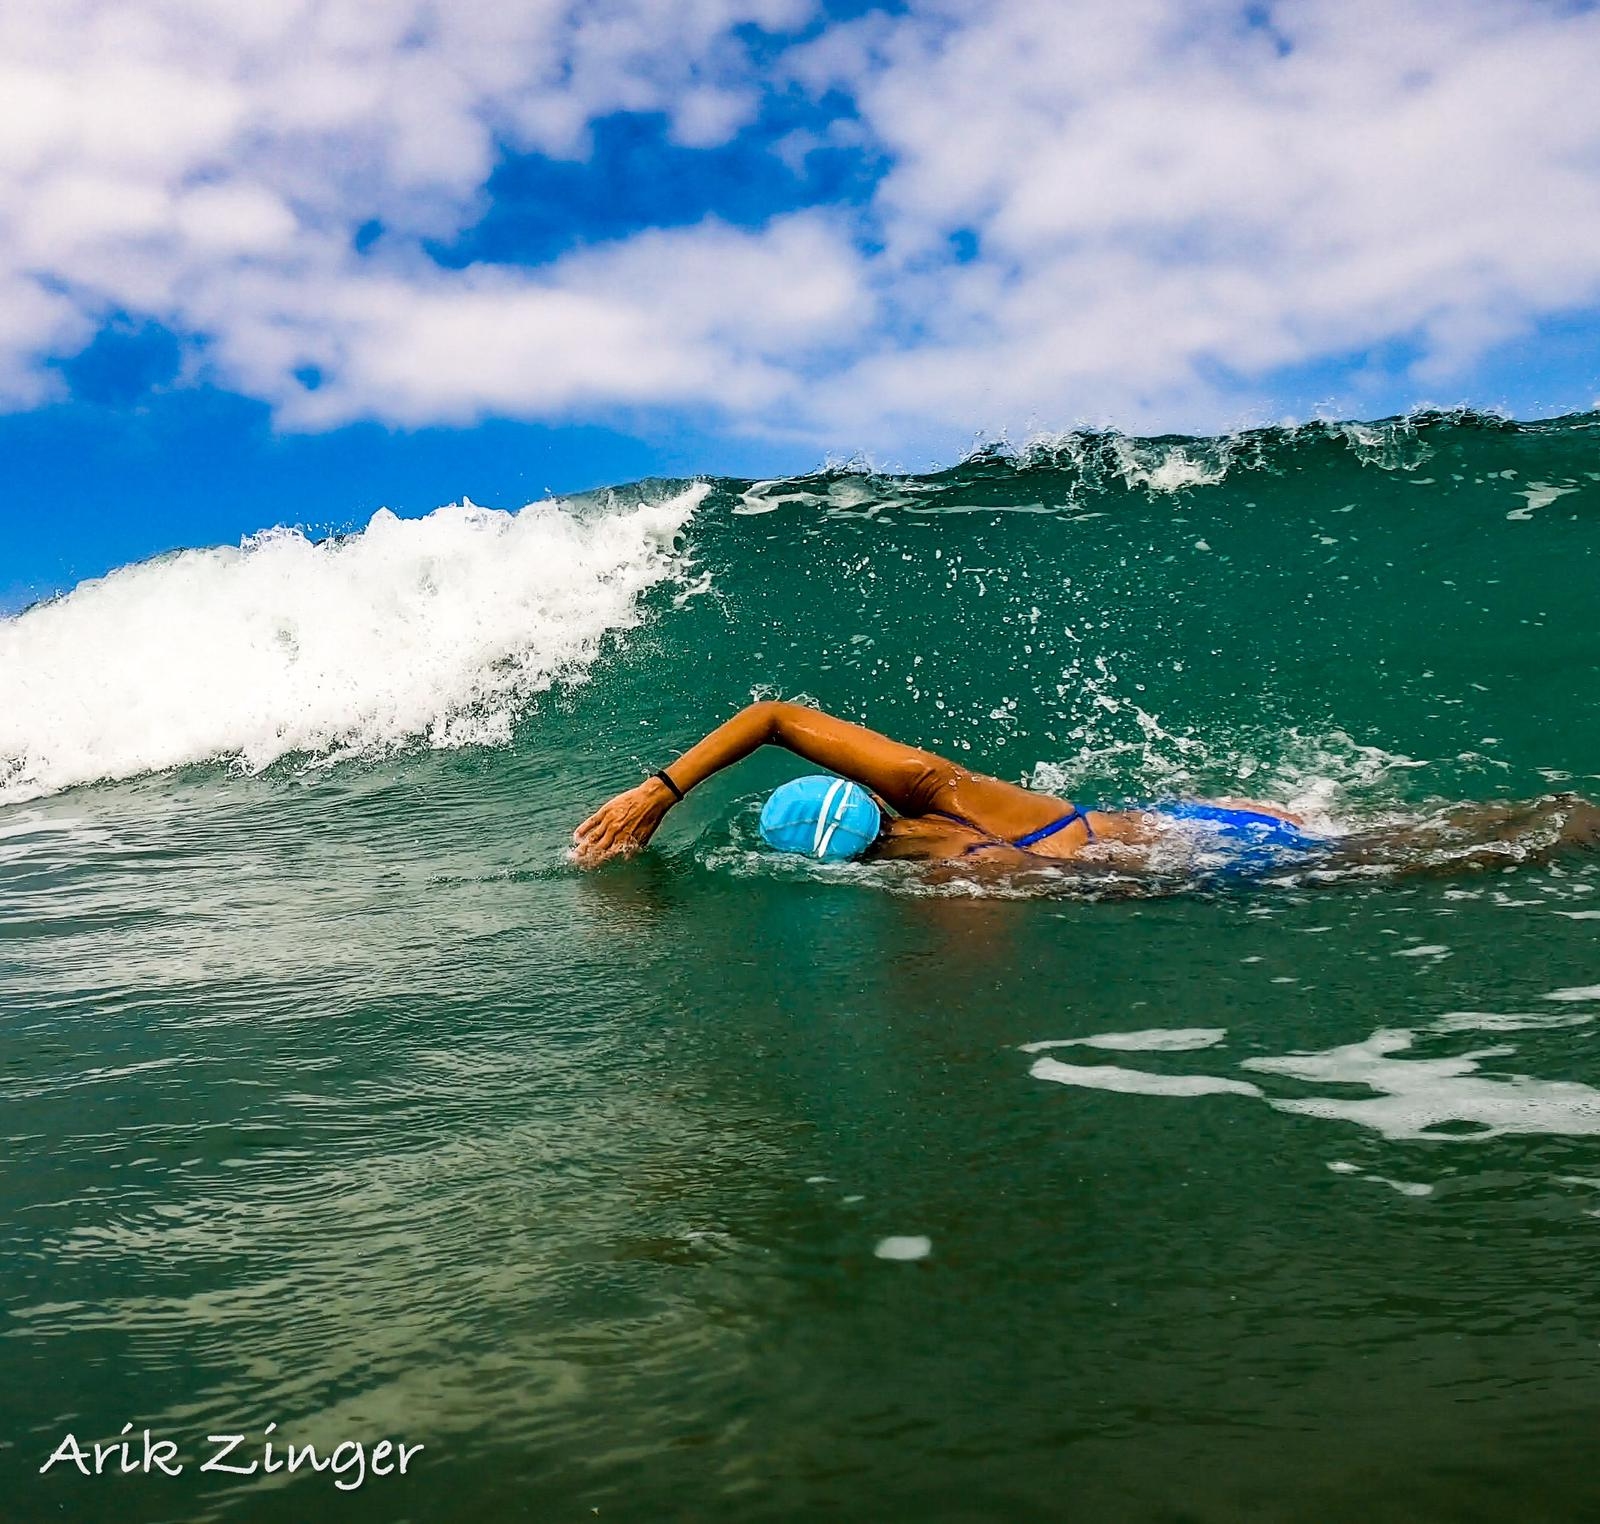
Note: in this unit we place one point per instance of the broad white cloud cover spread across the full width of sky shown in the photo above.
(1169, 204)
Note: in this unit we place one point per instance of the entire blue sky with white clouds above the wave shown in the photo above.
(290, 265)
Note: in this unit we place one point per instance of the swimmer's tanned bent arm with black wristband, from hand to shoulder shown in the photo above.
(910, 780)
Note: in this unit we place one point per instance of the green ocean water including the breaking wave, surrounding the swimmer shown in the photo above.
(337, 1099)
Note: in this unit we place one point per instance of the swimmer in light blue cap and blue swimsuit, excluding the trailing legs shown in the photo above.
(914, 804)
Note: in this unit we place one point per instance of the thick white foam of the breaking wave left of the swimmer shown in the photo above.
(431, 630)
